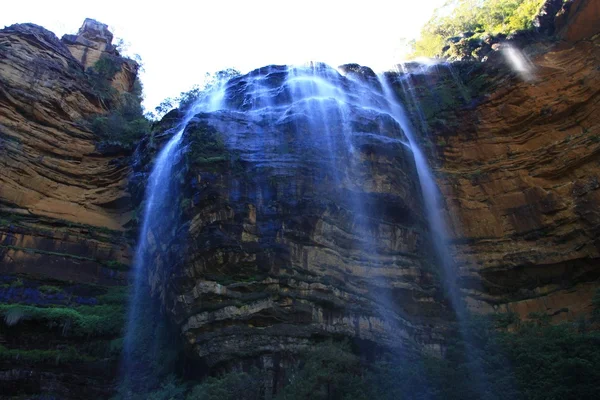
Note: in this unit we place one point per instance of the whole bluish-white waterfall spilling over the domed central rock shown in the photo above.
(283, 121)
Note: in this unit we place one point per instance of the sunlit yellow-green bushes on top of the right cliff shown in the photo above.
(473, 20)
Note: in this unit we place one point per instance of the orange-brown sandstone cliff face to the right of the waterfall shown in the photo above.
(519, 173)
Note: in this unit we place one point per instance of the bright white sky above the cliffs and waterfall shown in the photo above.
(179, 41)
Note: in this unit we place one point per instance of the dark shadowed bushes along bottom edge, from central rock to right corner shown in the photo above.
(534, 360)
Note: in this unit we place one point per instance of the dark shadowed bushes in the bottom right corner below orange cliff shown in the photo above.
(538, 361)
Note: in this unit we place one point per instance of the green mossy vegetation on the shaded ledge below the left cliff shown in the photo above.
(65, 334)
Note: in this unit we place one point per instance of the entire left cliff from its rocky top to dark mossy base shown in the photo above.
(63, 206)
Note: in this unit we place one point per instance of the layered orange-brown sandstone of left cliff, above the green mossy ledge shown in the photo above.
(55, 186)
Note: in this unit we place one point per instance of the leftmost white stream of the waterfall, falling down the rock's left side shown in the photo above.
(146, 333)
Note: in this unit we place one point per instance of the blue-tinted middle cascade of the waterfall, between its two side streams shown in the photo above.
(312, 118)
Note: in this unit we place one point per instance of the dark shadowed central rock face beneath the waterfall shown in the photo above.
(304, 221)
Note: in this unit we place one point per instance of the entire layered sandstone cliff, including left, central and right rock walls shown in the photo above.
(287, 232)
